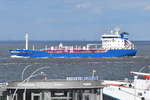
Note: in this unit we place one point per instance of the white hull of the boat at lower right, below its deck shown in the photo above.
(123, 93)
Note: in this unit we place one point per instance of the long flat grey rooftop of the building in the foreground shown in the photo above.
(56, 84)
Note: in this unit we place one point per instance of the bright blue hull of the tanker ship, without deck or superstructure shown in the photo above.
(44, 54)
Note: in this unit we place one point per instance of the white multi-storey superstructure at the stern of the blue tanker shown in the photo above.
(116, 40)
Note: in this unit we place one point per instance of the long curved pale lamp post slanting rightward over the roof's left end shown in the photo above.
(28, 78)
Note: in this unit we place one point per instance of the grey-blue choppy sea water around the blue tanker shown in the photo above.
(59, 68)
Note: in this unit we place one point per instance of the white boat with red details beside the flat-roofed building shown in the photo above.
(139, 89)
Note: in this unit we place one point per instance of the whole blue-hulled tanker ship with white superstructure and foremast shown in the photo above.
(114, 44)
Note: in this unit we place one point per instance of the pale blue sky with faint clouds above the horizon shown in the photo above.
(73, 19)
